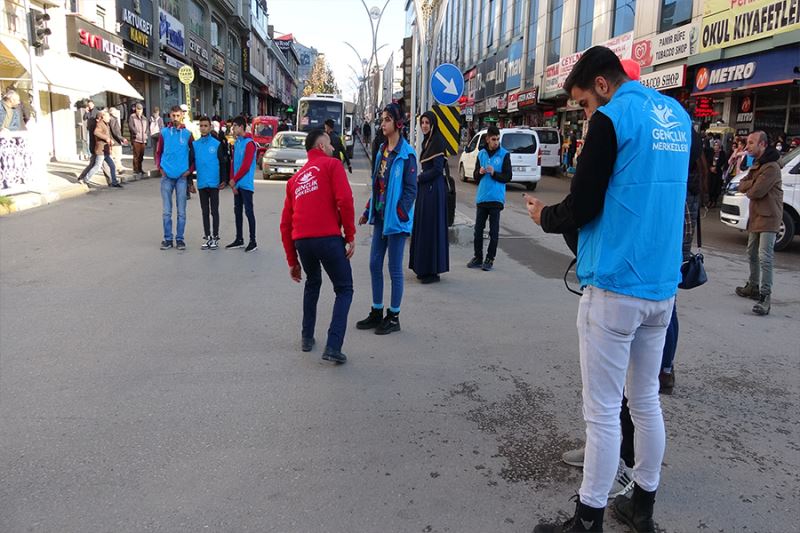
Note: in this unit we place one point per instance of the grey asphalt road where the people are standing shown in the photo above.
(143, 390)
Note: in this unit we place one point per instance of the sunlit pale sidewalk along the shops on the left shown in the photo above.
(62, 183)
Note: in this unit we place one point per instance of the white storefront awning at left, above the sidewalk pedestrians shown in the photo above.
(73, 76)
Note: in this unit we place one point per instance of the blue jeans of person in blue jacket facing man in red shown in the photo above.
(396, 245)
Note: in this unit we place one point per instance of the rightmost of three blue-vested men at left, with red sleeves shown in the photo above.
(243, 169)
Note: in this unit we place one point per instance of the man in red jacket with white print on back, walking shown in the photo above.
(318, 224)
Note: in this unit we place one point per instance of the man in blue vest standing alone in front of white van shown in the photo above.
(492, 172)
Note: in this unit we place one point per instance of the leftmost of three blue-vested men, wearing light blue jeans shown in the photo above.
(174, 159)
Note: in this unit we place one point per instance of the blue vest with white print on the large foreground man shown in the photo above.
(633, 247)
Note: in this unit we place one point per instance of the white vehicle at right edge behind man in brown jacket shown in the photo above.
(736, 206)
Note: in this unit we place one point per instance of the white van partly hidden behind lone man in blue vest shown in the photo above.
(523, 145)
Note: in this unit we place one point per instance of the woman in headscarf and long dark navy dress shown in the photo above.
(429, 250)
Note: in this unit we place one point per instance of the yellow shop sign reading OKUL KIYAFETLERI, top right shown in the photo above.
(731, 22)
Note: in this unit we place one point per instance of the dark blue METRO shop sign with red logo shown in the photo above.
(768, 68)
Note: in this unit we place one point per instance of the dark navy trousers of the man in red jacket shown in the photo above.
(330, 254)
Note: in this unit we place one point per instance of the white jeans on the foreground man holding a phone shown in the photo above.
(621, 343)
